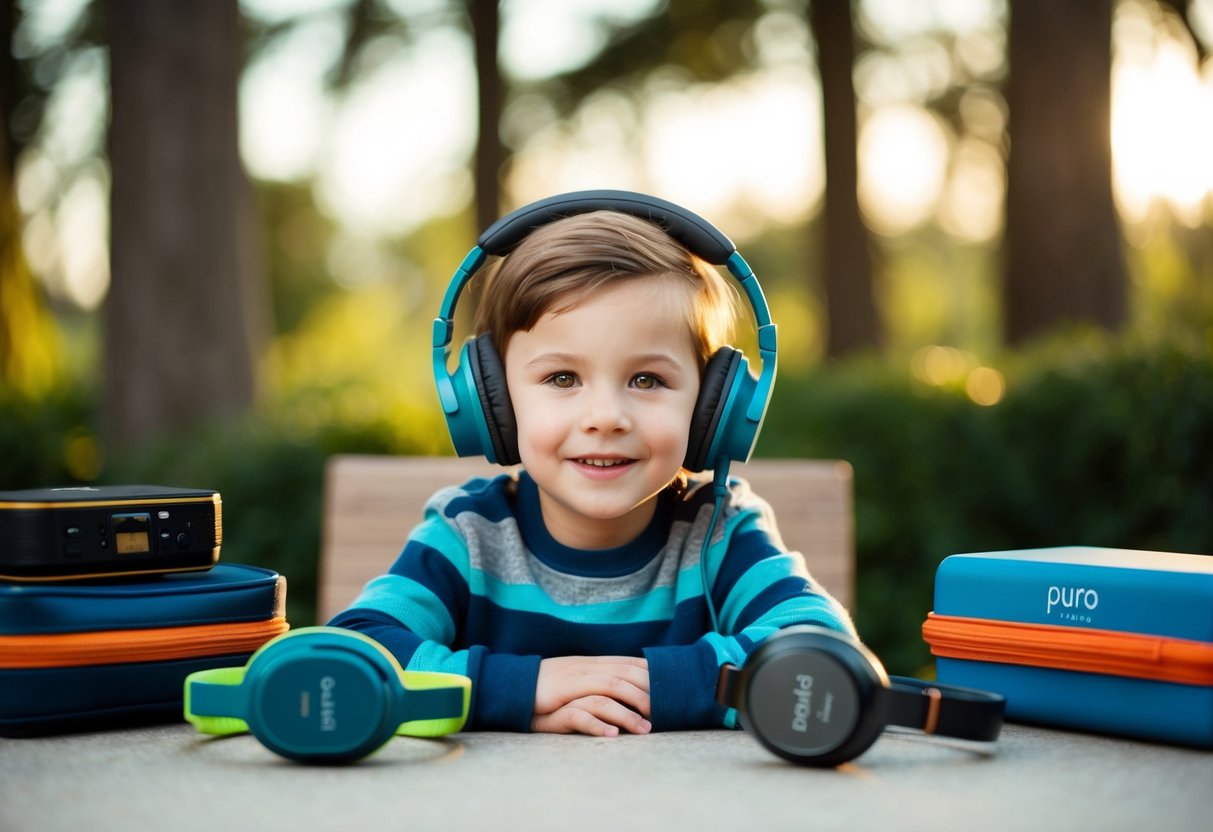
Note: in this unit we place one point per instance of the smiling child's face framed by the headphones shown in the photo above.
(603, 396)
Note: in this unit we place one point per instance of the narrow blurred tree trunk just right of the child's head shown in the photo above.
(852, 323)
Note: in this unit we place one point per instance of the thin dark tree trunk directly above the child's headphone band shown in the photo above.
(486, 21)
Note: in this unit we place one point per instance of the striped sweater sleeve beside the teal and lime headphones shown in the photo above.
(415, 612)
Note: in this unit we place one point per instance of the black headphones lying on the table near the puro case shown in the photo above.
(819, 698)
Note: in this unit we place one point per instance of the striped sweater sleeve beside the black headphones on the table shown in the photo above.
(758, 589)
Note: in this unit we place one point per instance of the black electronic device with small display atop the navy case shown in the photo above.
(110, 531)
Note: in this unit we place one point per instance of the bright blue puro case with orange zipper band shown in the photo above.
(1100, 640)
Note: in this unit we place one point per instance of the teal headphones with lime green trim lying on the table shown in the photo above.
(326, 696)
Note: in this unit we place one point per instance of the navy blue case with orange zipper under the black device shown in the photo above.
(87, 656)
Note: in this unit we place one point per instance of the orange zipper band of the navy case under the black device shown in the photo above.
(117, 647)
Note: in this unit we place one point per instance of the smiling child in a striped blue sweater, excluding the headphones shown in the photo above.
(571, 591)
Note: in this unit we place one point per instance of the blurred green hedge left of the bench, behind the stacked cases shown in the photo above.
(269, 469)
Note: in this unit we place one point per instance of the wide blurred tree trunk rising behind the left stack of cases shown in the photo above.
(184, 321)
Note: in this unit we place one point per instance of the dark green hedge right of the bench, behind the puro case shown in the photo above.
(1094, 445)
